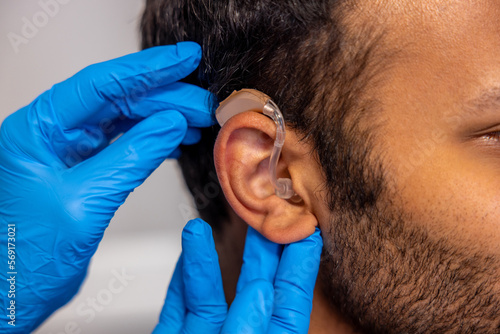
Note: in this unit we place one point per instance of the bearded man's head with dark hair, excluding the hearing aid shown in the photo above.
(394, 145)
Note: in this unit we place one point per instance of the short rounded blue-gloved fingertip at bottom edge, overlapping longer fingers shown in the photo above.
(251, 310)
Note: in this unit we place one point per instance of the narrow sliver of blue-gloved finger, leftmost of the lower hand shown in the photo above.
(174, 309)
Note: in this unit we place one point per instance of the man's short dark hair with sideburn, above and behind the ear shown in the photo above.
(305, 56)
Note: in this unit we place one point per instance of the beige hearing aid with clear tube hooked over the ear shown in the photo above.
(254, 100)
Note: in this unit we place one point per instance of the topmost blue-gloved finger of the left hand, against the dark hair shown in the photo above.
(100, 87)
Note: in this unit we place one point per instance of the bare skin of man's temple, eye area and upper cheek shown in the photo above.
(444, 152)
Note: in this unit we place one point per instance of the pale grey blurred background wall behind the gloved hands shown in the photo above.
(144, 237)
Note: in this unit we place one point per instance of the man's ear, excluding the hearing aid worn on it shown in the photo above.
(241, 156)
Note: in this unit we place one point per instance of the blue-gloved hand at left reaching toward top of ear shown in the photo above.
(60, 182)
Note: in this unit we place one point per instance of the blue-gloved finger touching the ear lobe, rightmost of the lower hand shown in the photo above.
(294, 285)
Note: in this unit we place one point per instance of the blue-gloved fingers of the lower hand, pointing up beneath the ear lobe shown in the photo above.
(274, 292)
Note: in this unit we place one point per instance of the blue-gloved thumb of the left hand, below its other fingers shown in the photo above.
(108, 177)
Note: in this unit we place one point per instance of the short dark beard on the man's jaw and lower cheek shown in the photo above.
(386, 275)
